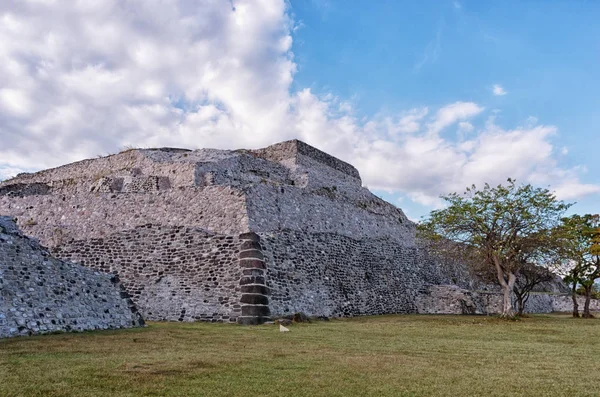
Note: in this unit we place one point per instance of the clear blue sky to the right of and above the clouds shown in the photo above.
(392, 55)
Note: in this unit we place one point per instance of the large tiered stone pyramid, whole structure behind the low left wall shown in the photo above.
(217, 235)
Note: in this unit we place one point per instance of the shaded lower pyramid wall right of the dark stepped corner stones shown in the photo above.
(328, 274)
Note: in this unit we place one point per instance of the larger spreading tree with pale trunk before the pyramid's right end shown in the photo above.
(502, 225)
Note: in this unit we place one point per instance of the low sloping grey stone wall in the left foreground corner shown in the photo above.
(41, 294)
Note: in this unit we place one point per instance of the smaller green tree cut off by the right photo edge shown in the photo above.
(581, 236)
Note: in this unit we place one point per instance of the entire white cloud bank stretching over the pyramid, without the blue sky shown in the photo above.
(81, 78)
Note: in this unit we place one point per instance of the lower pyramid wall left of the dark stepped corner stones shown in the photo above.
(172, 273)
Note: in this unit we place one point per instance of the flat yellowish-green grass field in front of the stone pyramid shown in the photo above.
(370, 356)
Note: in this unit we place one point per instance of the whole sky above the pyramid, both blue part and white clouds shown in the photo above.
(423, 97)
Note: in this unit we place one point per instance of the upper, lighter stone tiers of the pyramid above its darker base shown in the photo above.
(285, 186)
